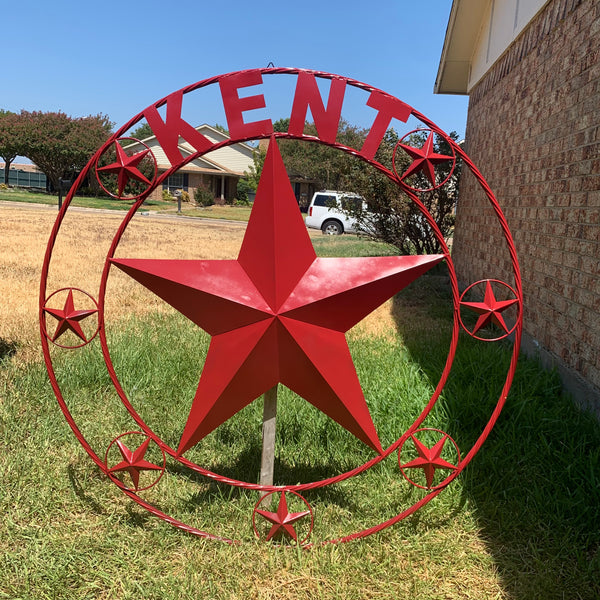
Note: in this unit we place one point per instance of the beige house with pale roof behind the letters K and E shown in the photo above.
(219, 170)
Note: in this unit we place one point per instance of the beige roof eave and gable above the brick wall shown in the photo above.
(478, 34)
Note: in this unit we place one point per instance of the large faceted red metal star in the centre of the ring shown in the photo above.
(277, 313)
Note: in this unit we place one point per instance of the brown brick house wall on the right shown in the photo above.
(533, 130)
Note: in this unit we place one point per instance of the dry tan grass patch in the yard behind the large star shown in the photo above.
(78, 259)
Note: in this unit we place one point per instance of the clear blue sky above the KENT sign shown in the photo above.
(117, 57)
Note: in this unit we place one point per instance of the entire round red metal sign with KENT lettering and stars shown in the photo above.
(276, 314)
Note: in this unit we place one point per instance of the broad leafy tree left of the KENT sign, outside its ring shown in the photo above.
(61, 145)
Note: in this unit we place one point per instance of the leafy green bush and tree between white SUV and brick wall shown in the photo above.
(392, 217)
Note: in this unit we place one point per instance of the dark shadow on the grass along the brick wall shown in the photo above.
(535, 484)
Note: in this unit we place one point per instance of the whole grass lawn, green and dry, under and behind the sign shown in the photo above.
(520, 523)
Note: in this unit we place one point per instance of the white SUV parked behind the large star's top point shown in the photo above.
(325, 212)
